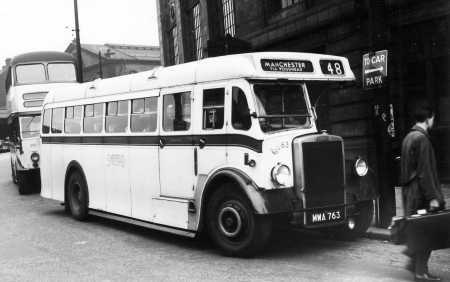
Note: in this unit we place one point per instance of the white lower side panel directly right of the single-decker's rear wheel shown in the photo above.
(93, 167)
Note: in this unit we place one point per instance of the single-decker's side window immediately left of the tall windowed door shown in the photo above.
(144, 114)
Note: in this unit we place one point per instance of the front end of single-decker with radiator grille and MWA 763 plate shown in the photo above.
(328, 187)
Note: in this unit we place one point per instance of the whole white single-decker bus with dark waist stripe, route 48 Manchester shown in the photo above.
(226, 145)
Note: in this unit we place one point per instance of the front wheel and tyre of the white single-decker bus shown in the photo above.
(233, 226)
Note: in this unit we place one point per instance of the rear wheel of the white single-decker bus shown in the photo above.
(78, 196)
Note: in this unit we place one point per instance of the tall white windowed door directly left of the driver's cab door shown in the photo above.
(176, 151)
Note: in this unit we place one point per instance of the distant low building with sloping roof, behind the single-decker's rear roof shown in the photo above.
(109, 60)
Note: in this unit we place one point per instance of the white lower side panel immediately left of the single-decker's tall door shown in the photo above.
(144, 180)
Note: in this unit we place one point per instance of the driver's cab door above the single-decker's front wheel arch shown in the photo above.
(210, 128)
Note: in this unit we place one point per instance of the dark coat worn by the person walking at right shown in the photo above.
(419, 171)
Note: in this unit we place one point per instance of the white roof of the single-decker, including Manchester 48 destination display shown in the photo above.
(263, 65)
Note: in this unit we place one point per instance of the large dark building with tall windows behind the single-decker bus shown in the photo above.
(372, 122)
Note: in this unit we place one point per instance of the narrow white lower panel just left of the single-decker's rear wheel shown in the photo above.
(58, 171)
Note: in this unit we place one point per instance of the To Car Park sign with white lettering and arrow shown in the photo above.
(374, 69)
